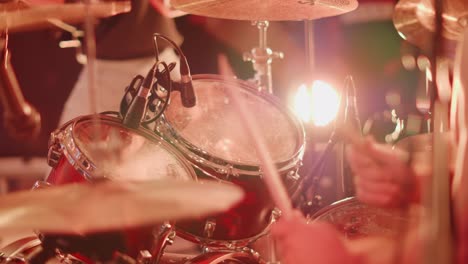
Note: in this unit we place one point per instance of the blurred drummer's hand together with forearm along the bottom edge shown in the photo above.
(320, 243)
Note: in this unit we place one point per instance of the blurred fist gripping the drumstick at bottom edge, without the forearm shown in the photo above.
(300, 243)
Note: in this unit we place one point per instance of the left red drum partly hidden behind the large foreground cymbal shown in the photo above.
(93, 147)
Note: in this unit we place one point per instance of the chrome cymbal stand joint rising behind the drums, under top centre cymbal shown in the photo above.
(261, 58)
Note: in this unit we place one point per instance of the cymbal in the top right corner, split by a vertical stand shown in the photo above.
(414, 20)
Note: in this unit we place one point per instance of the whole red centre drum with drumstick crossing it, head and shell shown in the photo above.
(212, 137)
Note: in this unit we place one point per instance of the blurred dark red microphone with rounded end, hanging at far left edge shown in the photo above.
(22, 121)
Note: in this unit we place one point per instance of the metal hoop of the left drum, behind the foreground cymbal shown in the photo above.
(85, 166)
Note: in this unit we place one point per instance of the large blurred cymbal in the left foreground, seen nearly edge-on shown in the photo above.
(112, 205)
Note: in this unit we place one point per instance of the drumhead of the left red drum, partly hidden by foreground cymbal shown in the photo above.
(119, 153)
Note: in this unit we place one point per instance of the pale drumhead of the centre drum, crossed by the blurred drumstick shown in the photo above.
(215, 126)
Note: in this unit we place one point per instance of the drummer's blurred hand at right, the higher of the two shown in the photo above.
(381, 174)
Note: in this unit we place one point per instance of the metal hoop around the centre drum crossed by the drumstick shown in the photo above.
(198, 155)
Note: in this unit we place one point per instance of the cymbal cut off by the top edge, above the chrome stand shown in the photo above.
(272, 10)
